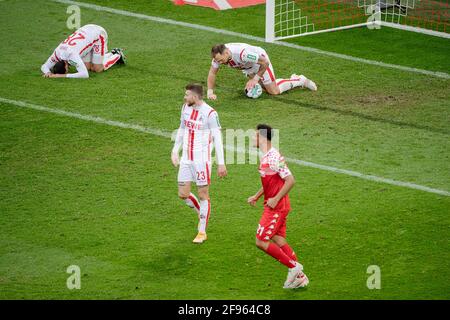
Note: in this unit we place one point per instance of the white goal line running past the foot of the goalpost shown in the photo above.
(254, 38)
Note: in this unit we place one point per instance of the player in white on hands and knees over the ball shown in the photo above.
(255, 64)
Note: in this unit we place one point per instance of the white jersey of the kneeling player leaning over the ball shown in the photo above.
(243, 56)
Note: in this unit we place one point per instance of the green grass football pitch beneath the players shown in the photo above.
(86, 177)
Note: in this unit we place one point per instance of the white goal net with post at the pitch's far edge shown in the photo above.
(293, 18)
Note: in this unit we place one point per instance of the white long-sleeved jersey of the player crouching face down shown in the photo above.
(75, 47)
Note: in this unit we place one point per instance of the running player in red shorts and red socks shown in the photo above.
(277, 181)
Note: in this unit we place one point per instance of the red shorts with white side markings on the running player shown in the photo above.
(273, 222)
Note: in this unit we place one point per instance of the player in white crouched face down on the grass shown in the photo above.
(87, 50)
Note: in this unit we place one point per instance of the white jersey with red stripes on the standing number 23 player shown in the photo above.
(197, 123)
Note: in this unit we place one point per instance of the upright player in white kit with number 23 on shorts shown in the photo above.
(199, 128)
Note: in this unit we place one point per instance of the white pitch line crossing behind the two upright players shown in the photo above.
(165, 134)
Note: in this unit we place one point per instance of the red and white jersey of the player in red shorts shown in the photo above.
(273, 170)
